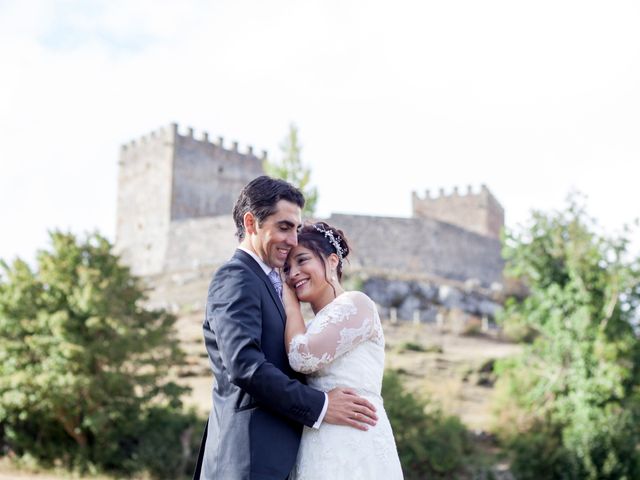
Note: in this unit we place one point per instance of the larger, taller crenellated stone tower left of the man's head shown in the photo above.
(167, 177)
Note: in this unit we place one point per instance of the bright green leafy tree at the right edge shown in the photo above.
(569, 405)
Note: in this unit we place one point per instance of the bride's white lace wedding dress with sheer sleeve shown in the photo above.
(344, 347)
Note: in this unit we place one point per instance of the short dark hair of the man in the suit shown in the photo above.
(260, 196)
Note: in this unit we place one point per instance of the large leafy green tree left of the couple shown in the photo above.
(81, 360)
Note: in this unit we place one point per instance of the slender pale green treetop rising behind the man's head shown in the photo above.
(291, 169)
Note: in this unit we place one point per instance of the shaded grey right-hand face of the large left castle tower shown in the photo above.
(207, 177)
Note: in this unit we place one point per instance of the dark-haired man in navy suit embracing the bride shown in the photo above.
(259, 403)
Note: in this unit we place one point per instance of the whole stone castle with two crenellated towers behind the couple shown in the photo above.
(174, 228)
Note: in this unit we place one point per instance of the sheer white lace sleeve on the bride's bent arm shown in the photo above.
(337, 329)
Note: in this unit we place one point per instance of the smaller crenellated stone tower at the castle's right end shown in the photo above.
(478, 212)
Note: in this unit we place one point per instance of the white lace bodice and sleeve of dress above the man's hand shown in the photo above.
(347, 328)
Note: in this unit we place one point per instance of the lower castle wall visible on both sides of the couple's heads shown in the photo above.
(401, 247)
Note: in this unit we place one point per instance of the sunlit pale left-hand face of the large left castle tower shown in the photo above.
(144, 201)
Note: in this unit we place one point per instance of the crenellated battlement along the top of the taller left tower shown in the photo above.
(171, 132)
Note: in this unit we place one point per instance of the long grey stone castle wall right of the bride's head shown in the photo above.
(414, 246)
